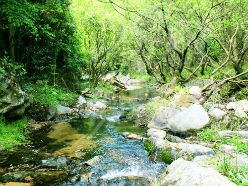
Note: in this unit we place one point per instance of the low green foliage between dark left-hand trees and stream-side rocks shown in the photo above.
(45, 94)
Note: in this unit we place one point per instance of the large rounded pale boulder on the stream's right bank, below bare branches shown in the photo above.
(180, 120)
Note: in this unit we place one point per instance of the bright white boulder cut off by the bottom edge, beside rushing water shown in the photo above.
(186, 173)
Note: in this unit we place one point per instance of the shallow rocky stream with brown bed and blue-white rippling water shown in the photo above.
(87, 151)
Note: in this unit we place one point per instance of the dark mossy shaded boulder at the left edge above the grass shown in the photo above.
(13, 100)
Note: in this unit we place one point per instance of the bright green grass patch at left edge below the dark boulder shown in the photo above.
(12, 134)
